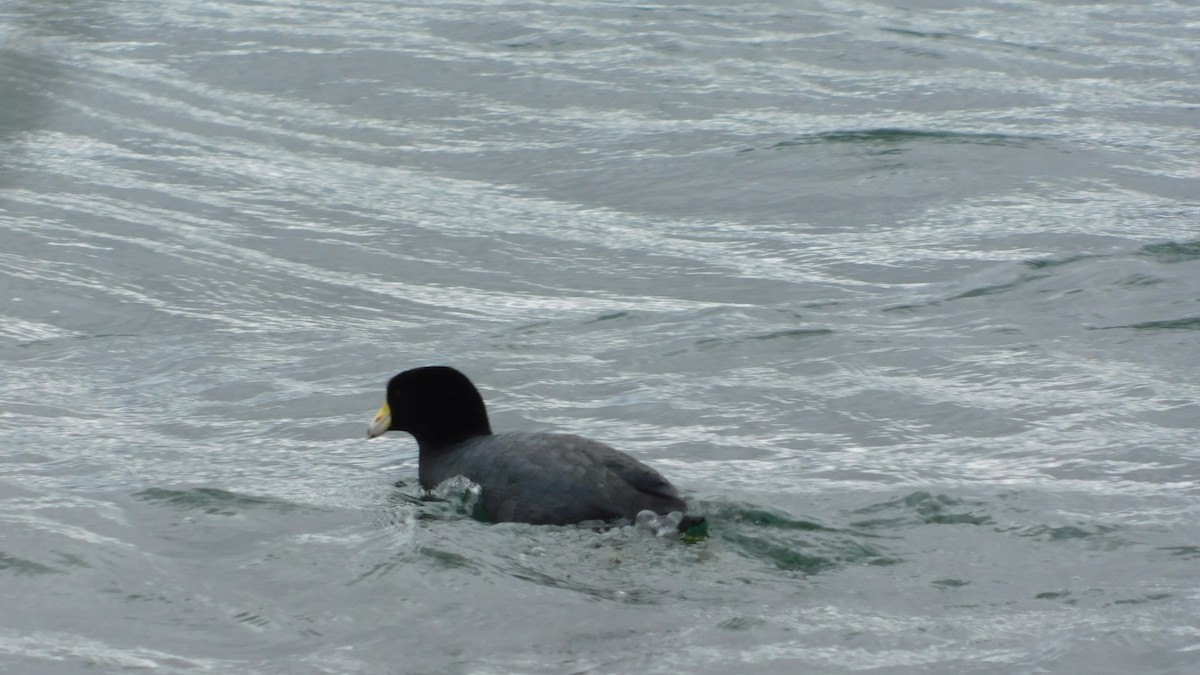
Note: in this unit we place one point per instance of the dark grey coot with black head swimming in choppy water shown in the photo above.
(538, 479)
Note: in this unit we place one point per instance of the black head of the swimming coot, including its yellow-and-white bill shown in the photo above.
(436, 404)
